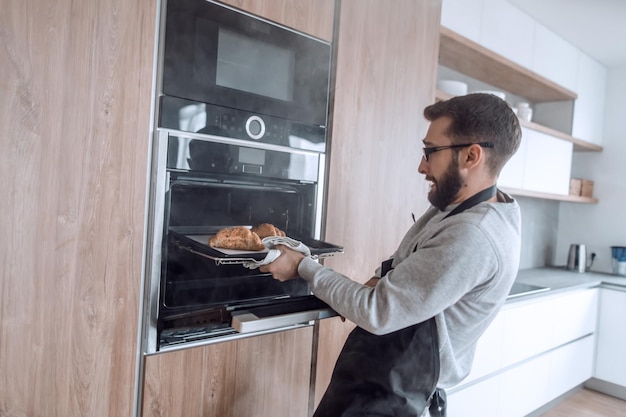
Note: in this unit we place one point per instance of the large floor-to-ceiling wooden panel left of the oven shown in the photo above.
(75, 112)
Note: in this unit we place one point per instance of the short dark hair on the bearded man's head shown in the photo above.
(480, 117)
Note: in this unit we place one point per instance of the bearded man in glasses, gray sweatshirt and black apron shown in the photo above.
(419, 318)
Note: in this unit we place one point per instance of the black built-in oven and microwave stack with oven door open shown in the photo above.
(232, 150)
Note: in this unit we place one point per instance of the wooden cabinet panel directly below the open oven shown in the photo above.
(264, 376)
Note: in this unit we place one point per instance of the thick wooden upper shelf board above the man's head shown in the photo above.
(463, 55)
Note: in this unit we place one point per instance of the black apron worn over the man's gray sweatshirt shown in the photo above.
(393, 375)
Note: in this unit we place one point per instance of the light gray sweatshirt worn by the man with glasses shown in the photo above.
(459, 269)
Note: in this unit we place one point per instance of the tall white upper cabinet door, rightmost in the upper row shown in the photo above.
(589, 107)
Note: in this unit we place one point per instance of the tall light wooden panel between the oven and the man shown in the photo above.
(386, 72)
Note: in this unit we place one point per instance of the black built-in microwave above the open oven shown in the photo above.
(221, 56)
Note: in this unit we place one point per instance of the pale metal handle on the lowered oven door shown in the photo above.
(254, 321)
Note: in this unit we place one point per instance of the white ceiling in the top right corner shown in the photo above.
(597, 27)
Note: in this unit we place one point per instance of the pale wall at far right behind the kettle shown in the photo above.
(601, 225)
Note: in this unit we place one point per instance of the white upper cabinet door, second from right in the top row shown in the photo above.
(555, 58)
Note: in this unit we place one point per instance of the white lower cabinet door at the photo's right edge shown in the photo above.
(611, 349)
